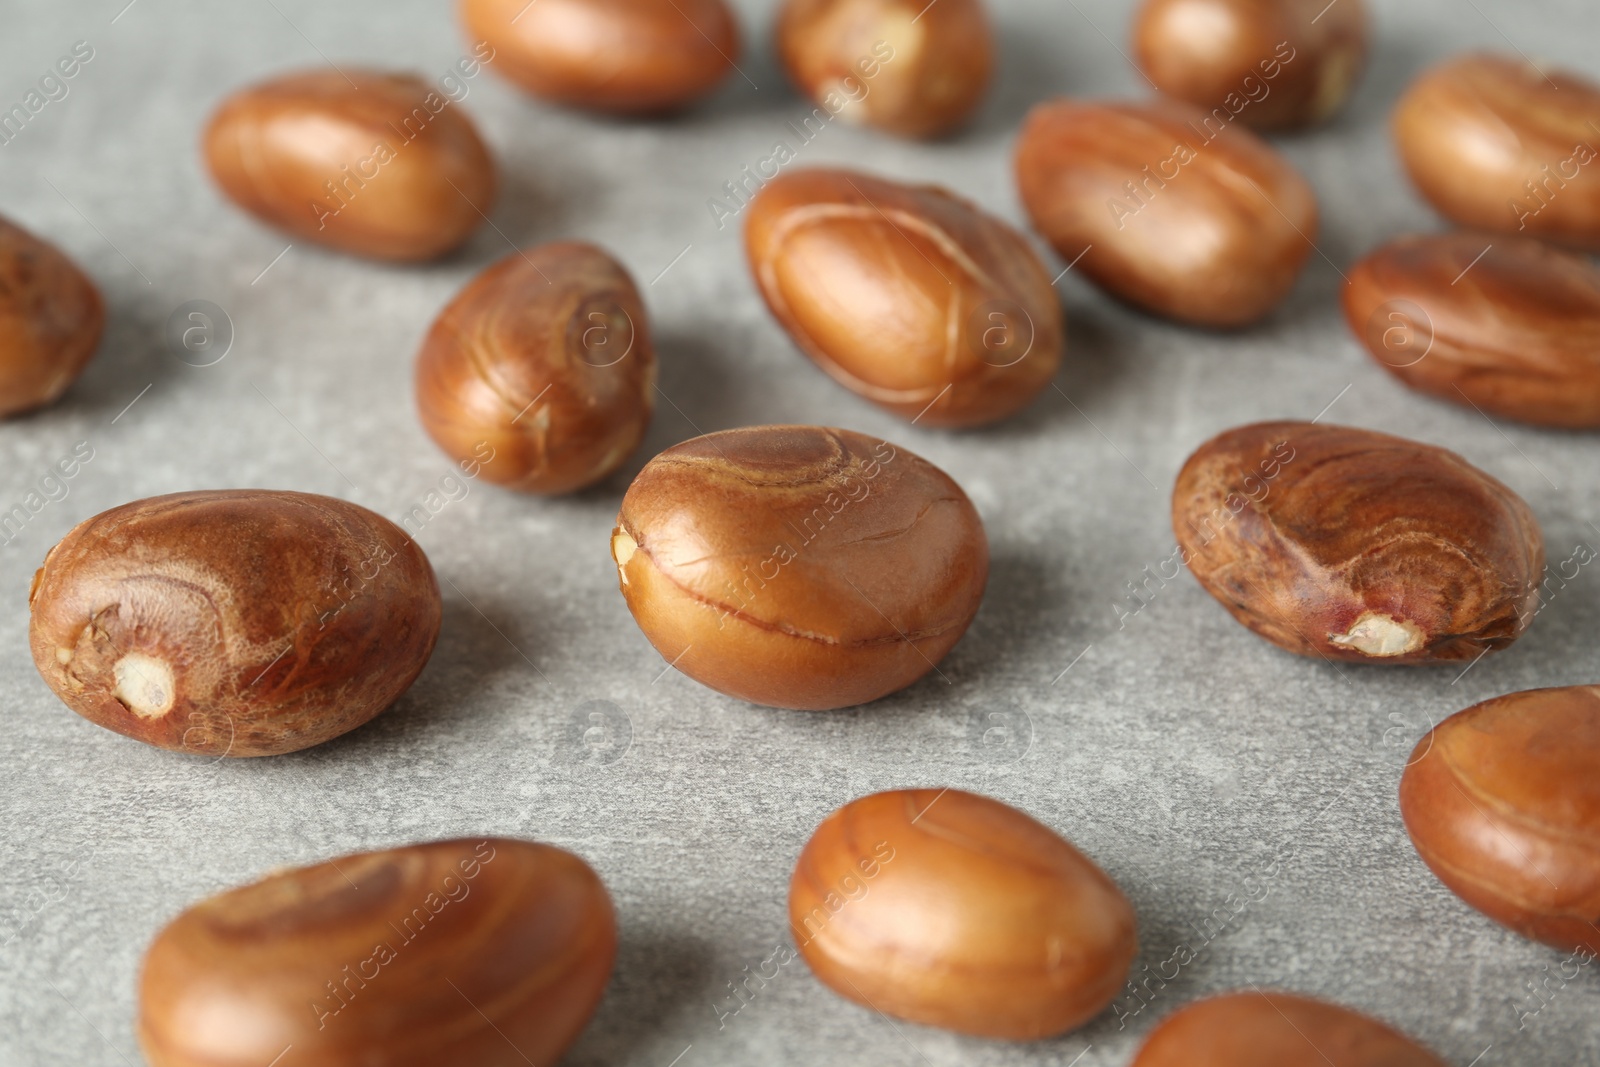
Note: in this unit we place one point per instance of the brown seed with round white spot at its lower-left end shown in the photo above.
(234, 621)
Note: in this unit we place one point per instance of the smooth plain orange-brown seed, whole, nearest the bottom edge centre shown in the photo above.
(956, 911)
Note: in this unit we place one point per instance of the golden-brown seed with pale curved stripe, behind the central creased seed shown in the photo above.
(906, 295)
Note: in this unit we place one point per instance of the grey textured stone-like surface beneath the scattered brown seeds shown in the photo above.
(1180, 751)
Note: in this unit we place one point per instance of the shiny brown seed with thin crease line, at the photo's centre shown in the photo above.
(799, 567)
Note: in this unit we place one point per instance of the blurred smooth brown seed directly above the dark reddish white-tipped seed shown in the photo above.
(1167, 209)
